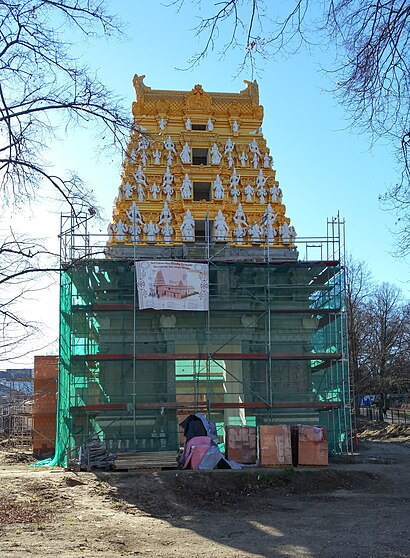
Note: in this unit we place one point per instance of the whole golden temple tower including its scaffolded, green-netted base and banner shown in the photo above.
(201, 298)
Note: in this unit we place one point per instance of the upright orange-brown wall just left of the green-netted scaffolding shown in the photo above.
(45, 404)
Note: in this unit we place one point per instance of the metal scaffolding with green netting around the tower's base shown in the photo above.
(271, 348)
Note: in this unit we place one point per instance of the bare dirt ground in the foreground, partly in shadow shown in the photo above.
(357, 507)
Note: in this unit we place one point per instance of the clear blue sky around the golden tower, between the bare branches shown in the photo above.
(322, 167)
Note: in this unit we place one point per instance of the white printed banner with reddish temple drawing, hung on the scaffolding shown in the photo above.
(164, 285)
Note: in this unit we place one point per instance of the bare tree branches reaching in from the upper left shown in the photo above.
(43, 87)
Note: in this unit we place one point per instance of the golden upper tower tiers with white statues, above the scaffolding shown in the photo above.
(197, 170)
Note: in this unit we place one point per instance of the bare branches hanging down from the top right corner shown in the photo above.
(371, 44)
